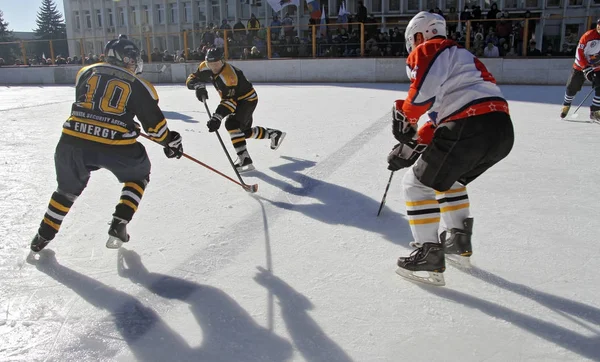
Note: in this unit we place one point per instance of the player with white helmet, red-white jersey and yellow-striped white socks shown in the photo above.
(469, 130)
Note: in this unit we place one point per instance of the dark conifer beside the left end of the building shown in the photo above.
(51, 26)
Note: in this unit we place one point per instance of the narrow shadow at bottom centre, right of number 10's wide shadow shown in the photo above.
(308, 337)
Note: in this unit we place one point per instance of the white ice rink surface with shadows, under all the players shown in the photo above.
(303, 270)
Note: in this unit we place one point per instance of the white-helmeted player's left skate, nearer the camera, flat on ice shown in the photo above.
(428, 258)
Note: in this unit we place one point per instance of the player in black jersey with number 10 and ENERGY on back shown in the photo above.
(101, 133)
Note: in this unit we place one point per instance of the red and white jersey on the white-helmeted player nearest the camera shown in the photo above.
(449, 83)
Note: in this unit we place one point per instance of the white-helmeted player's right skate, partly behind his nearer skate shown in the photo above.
(457, 243)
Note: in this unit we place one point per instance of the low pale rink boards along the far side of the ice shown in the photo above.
(540, 71)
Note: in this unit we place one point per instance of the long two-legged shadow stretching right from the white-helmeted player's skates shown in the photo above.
(577, 312)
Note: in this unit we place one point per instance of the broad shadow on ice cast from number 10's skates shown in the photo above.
(228, 332)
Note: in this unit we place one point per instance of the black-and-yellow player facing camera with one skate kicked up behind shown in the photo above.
(238, 102)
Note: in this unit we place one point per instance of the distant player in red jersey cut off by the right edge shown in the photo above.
(586, 66)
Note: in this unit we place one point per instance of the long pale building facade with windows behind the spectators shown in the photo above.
(161, 23)
